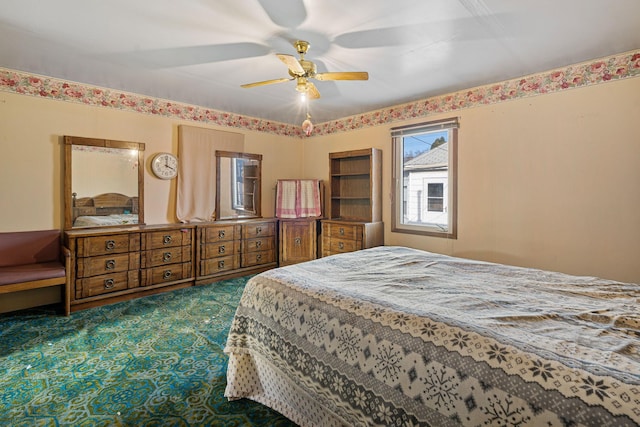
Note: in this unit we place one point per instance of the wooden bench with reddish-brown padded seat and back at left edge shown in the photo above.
(34, 259)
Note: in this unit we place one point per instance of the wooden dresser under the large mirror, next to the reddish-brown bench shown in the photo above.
(116, 264)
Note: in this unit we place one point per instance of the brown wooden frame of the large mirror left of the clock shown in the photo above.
(69, 142)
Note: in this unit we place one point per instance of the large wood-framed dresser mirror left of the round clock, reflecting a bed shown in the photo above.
(103, 182)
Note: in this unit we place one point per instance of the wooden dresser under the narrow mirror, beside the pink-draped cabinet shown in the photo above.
(235, 248)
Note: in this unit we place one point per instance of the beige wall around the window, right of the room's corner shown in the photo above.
(548, 182)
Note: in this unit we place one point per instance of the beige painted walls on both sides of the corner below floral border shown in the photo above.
(549, 181)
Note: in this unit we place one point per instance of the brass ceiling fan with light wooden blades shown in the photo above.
(302, 70)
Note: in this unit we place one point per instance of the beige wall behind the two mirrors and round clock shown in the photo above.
(31, 175)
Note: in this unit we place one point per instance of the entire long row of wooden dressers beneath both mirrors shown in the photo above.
(114, 264)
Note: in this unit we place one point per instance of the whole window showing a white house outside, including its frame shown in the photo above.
(424, 178)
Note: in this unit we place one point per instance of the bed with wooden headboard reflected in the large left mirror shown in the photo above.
(105, 209)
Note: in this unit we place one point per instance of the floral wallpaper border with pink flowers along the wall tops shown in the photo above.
(597, 71)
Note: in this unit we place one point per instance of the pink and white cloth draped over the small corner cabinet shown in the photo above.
(298, 198)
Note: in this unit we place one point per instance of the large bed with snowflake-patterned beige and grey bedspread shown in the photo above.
(395, 336)
